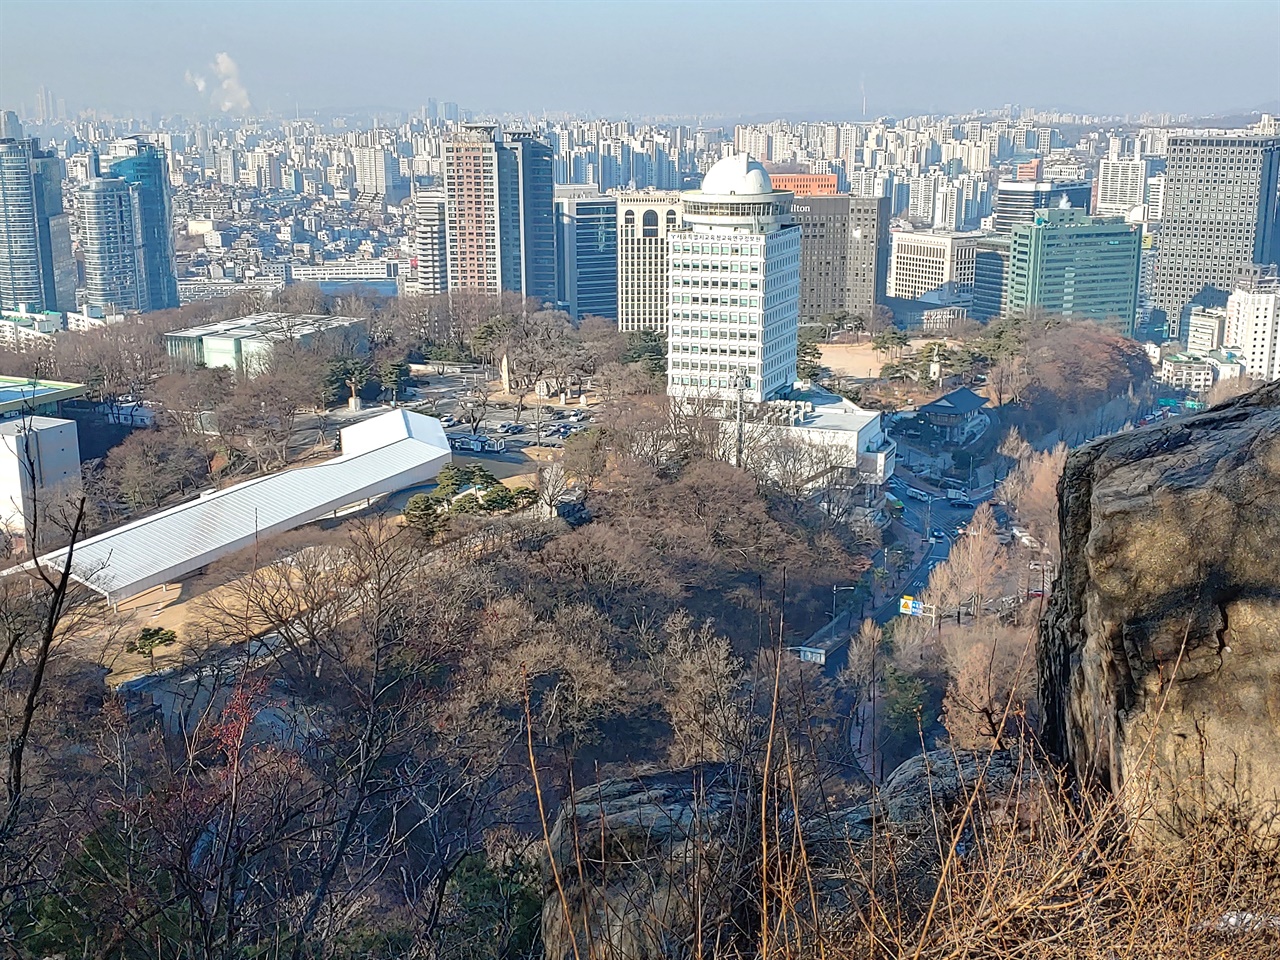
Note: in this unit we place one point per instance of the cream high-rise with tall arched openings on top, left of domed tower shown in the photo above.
(646, 223)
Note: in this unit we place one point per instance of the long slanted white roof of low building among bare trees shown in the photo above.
(381, 456)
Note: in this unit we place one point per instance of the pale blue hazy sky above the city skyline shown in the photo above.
(619, 60)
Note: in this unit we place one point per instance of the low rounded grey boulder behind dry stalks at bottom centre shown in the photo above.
(653, 867)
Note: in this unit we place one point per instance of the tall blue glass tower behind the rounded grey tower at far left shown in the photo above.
(144, 168)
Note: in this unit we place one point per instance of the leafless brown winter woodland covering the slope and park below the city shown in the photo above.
(381, 783)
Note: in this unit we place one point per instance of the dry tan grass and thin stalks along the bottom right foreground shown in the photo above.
(1003, 872)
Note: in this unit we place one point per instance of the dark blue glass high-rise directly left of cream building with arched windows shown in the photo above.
(587, 253)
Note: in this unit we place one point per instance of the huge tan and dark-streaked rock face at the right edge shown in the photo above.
(1160, 653)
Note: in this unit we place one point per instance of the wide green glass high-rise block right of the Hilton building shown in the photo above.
(1076, 267)
